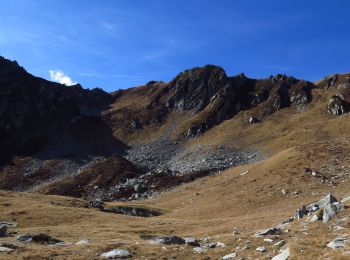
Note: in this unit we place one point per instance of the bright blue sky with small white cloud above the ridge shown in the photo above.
(124, 43)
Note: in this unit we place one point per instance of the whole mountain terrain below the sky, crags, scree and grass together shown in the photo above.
(196, 168)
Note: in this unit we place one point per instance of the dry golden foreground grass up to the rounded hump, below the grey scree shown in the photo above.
(213, 206)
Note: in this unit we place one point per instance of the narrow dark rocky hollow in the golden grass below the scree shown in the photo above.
(134, 211)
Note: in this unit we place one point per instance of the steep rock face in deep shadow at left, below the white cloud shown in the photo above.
(33, 110)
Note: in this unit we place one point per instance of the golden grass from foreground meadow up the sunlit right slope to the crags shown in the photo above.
(216, 205)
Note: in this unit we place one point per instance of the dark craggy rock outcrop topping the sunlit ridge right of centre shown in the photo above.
(209, 90)
